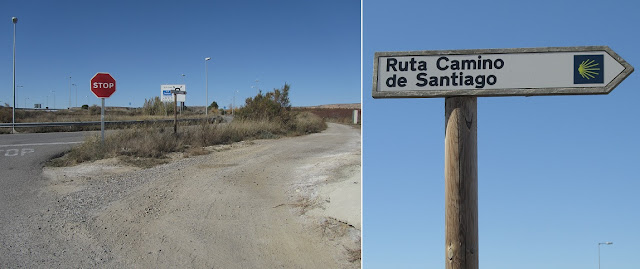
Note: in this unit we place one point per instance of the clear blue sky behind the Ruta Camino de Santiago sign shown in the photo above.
(556, 174)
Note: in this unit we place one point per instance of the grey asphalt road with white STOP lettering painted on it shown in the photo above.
(22, 203)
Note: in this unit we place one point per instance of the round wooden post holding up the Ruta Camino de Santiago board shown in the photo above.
(461, 183)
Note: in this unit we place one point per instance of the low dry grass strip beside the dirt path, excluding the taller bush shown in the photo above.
(147, 146)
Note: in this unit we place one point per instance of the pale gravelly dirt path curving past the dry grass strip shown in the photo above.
(286, 203)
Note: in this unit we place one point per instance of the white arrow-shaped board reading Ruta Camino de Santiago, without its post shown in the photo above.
(498, 72)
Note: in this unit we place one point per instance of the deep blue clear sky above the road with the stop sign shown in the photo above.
(312, 45)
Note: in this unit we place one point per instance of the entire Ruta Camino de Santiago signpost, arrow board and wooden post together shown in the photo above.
(460, 76)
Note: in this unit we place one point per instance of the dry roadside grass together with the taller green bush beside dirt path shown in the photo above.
(264, 116)
